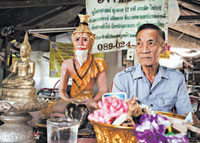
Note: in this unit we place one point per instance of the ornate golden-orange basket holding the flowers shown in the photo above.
(106, 133)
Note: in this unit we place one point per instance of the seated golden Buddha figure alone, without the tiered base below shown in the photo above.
(23, 70)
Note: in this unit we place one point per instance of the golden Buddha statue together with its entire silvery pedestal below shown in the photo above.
(18, 98)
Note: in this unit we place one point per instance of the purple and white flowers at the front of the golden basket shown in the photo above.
(151, 129)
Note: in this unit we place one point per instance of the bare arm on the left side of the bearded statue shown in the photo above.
(64, 77)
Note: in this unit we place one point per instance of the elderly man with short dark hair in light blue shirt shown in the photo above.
(159, 87)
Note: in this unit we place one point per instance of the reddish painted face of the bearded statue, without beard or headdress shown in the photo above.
(82, 41)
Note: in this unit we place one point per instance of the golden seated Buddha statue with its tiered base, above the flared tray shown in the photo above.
(20, 82)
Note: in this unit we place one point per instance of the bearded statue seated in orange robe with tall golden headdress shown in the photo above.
(85, 70)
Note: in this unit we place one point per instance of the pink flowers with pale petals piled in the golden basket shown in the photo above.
(110, 109)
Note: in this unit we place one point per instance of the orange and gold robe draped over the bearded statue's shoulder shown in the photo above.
(84, 74)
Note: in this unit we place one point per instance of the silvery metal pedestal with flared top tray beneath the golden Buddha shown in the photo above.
(15, 116)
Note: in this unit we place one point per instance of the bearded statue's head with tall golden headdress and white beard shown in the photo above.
(83, 40)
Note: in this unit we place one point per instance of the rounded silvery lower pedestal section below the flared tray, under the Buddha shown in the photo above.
(15, 128)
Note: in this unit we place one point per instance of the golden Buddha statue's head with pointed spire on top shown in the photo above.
(25, 47)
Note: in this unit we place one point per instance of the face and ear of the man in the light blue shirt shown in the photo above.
(149, 45)
